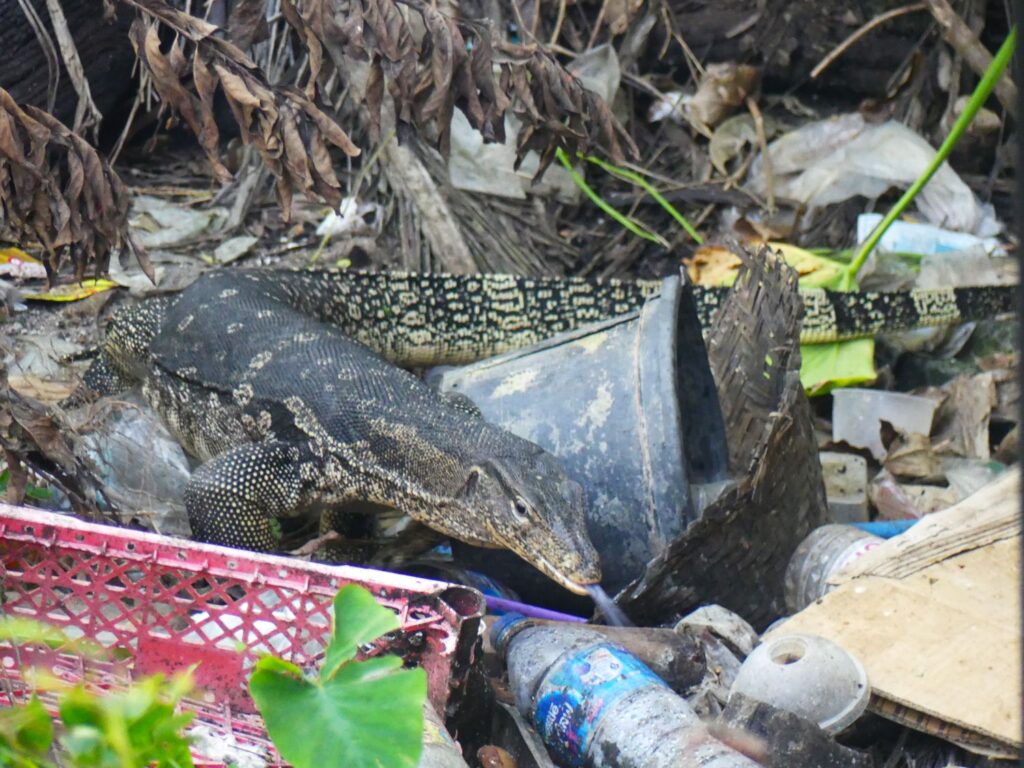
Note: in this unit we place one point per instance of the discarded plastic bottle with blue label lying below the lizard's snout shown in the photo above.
(596, 706)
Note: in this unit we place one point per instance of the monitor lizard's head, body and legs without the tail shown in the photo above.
(290, 414)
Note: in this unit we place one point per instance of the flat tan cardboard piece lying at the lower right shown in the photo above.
(935, 618)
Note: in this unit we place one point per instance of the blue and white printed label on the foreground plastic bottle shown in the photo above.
(575, 697)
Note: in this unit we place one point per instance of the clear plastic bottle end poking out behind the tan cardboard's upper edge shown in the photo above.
(824, 552)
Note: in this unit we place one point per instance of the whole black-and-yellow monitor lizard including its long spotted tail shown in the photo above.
(278, 380)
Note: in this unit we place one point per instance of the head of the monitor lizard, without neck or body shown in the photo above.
(531, 506)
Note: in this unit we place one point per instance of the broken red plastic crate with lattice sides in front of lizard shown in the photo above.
(172, 604)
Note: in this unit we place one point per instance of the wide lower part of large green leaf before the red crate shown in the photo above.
(368, 715)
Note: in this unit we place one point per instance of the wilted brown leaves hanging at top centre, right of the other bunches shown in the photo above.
(431, 77)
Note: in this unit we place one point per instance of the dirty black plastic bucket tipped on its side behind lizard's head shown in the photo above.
(630, 408)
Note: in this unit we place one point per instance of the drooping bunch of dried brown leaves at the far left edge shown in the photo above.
(56, 190)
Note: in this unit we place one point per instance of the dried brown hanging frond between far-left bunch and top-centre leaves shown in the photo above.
(285, 125)
